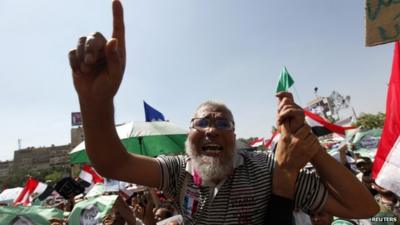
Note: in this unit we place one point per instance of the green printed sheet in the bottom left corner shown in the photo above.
(31, 215)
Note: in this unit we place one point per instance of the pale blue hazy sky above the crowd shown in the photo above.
(181, 53)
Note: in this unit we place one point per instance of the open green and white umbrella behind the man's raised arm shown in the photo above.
(144, 138)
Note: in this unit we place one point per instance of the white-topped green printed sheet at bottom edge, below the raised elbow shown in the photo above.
(92, 211)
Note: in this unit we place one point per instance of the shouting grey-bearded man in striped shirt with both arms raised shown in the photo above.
(213, 183)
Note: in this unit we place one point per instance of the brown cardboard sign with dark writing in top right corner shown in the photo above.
(383, 21)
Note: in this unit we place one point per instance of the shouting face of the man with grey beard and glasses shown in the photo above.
(212, 146)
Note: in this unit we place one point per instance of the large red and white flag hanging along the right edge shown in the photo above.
(386, 165)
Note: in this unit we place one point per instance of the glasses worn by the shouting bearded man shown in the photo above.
(219, 123)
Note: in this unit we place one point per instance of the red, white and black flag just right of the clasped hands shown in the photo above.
(321, 127)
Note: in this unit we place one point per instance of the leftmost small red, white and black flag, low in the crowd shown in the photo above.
(31, 189)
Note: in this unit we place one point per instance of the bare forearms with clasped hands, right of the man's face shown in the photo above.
(347, 197)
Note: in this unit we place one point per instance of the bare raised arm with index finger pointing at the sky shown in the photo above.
(97, 69)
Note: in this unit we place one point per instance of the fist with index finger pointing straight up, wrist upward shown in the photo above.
(97, 64)
